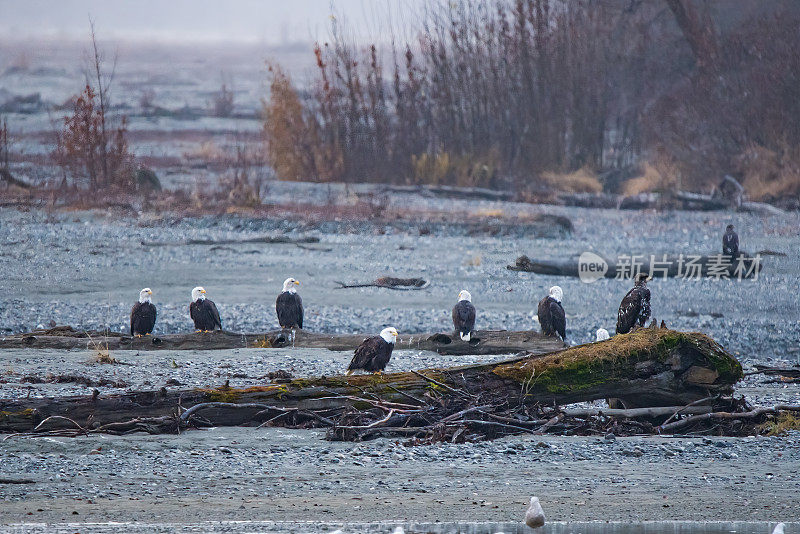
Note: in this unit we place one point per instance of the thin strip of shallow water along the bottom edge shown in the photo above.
(650, 527)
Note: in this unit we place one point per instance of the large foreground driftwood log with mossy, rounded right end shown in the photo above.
(650, 367)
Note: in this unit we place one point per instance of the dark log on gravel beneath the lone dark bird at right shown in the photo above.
(661, 266)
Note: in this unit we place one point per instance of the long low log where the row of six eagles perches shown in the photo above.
(482, 342)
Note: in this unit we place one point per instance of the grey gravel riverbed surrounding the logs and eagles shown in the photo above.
(86, 268)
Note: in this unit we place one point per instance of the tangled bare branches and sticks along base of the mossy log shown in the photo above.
(436, 418)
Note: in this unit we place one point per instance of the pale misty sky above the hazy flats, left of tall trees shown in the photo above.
(257, 21)
